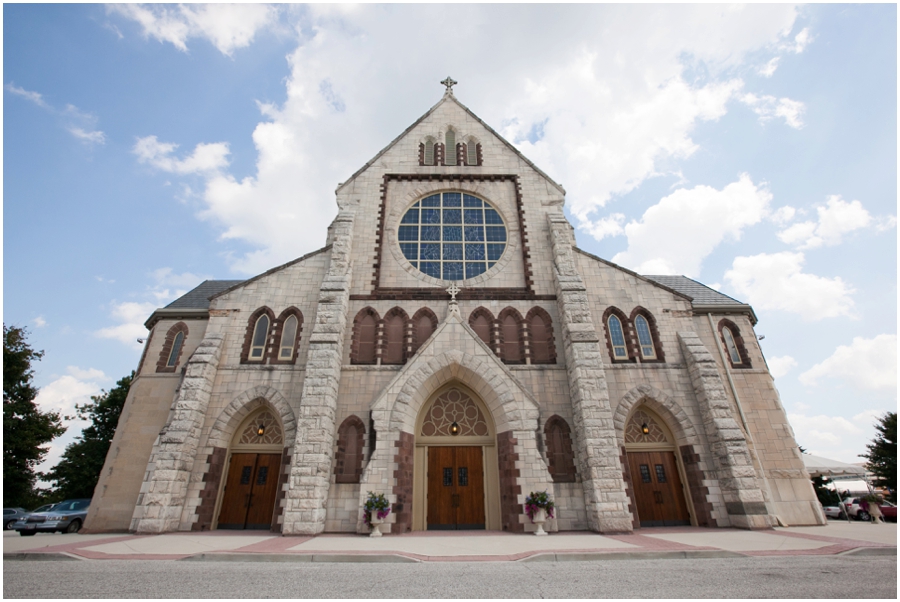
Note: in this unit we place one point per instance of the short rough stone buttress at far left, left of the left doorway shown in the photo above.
(159, 508)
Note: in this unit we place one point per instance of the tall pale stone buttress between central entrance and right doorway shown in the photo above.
(606, 502)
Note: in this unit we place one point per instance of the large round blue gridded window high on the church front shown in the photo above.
(452, 236)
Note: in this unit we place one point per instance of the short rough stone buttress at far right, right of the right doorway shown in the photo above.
(732, 464)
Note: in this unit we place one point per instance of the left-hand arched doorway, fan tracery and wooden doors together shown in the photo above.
(250, 491)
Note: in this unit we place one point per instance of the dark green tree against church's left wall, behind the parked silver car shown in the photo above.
(78, 471)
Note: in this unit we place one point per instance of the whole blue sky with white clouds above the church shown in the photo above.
(754, 148)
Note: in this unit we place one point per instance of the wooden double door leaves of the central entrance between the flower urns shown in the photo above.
(455, 488)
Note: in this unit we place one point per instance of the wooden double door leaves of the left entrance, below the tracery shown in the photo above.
(250, 491)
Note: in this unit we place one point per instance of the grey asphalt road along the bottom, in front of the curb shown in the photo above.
(761, 577)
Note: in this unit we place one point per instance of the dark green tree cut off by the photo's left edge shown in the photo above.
(25, 428)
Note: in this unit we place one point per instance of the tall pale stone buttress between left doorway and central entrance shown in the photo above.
(310, 477)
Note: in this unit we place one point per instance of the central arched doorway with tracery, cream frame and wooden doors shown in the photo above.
(456, 482)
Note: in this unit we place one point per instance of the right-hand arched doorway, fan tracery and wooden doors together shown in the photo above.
(660, 498)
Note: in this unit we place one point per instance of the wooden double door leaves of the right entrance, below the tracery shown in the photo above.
(658, 491)
